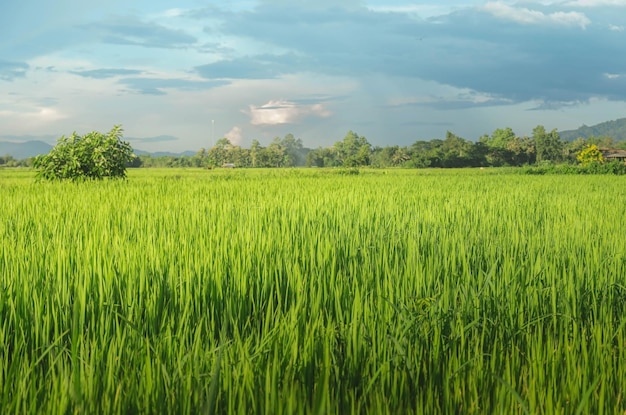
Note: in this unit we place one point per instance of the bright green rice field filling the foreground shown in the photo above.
(313, 291)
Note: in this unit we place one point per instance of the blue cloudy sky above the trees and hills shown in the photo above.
(180, 75)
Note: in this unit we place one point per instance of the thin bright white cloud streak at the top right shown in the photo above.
(529, 16)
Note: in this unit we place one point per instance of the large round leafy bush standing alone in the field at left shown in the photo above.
(92, 156)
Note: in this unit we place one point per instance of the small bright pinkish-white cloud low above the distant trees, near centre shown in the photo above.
(284, 112)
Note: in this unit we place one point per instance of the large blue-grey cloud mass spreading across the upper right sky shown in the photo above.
(513, 54)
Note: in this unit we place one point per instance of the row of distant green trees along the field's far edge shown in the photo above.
(500, 148)
